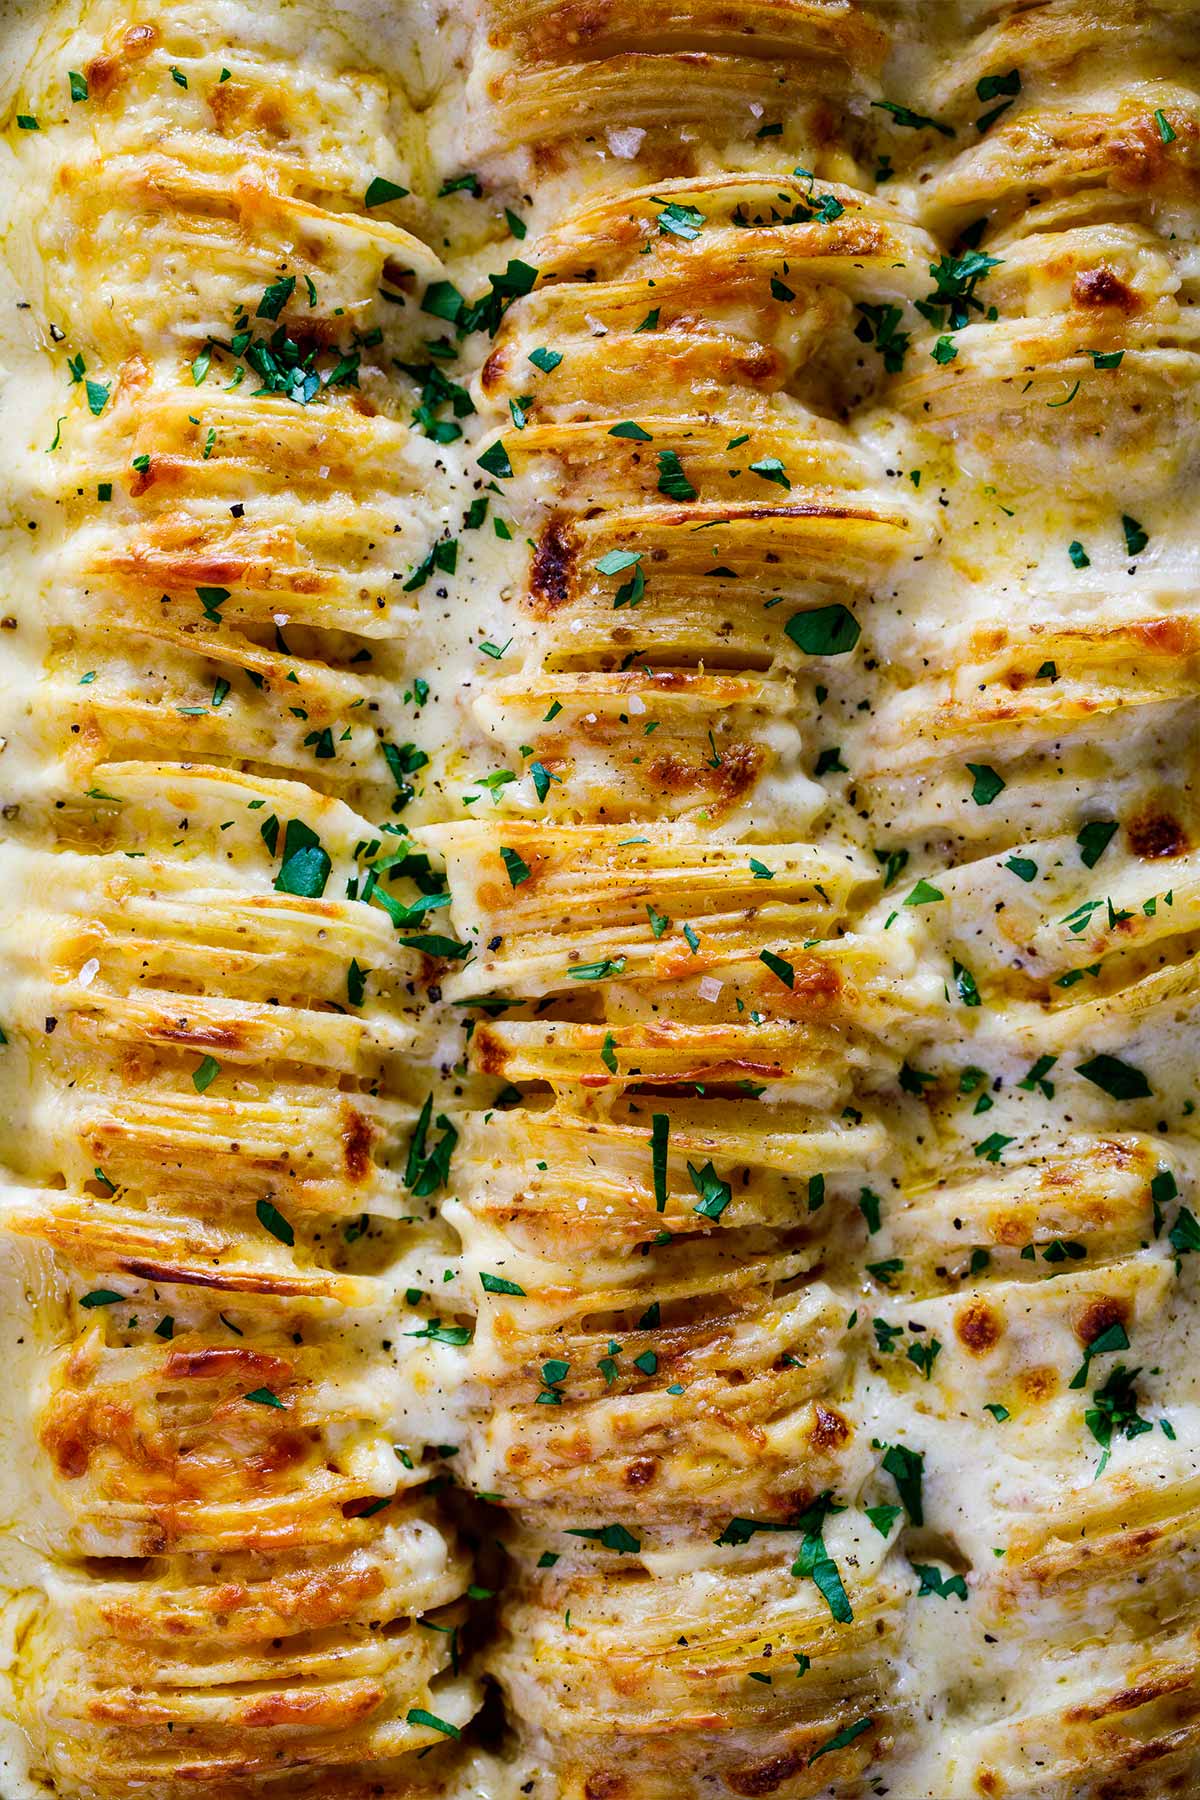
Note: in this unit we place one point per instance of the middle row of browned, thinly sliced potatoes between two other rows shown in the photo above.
(667, 904)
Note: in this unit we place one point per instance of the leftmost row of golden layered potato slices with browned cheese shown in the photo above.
(242, 1578)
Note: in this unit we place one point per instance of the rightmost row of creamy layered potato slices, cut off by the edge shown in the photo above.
(1037, 732)
